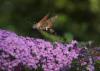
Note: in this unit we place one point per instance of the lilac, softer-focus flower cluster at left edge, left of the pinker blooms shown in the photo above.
(14, 51)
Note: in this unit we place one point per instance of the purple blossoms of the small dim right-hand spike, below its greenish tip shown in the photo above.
(86, 60)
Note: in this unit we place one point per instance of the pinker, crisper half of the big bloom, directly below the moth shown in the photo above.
(52, 57)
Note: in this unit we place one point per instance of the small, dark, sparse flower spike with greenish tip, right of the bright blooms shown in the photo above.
(86, 58)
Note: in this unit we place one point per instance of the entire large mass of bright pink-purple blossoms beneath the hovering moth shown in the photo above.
(33, 53)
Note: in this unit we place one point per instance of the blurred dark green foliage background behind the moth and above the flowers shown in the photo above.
(77, 19)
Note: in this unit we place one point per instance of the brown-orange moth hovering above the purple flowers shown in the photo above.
(46, 24)
